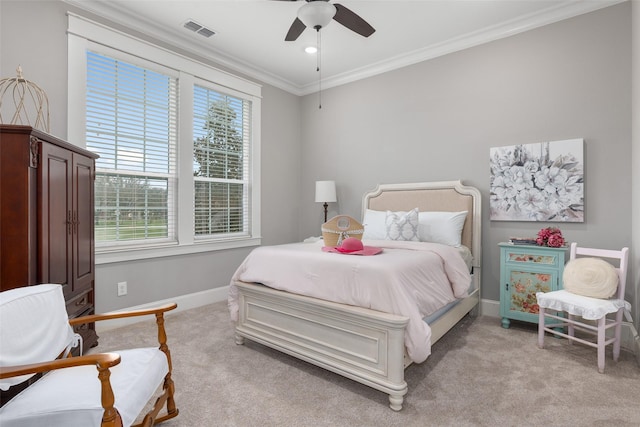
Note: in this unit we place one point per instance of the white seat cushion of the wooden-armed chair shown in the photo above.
(71, 397)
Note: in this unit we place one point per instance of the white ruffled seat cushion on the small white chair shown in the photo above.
(586, 307)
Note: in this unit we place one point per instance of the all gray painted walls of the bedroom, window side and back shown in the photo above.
(431, 121)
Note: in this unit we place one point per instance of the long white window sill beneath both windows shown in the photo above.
(131, 254)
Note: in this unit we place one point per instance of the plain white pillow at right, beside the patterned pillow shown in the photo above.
(441, 227)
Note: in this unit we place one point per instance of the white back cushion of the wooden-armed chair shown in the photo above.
(35, 327)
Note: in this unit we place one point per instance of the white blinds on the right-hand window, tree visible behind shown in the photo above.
(222, 137)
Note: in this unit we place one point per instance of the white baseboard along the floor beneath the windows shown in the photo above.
(185, 302)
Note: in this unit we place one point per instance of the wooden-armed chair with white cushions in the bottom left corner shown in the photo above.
(104, 389)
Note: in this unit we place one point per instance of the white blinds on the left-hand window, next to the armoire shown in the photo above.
(131, 122)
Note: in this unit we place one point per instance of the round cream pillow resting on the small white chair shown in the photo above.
(591, 277)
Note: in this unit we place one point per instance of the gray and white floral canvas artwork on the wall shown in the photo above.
(538, 182)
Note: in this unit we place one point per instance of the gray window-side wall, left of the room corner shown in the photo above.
(41, 48)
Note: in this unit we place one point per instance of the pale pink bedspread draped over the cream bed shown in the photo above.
(413, 279)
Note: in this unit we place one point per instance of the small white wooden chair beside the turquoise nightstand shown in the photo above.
(587, 314)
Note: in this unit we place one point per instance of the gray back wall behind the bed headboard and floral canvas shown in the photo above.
(436, 120)
